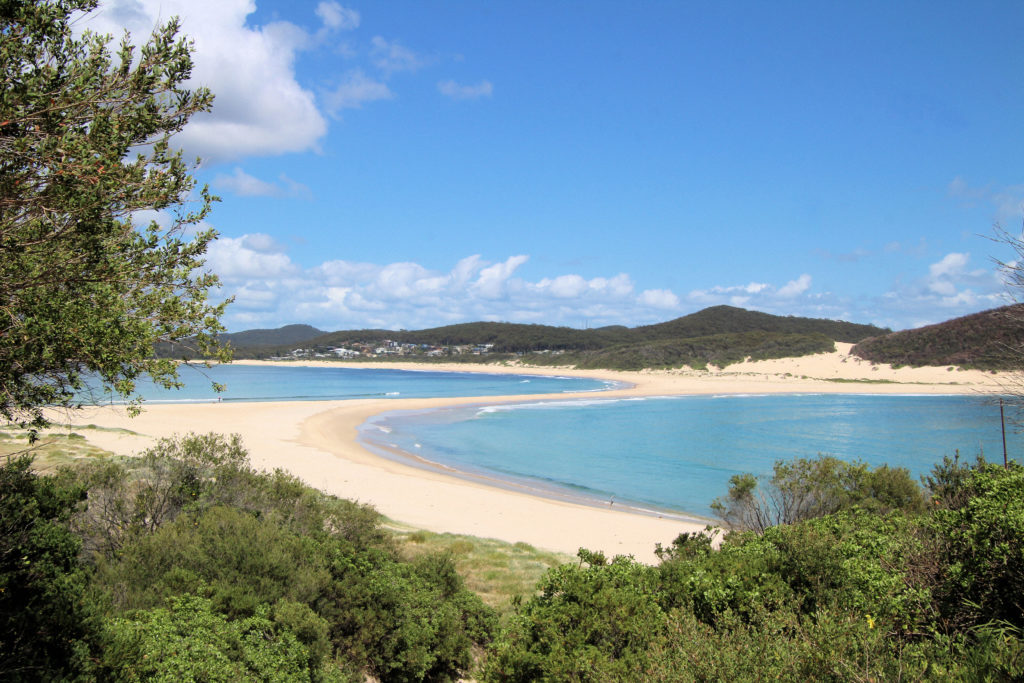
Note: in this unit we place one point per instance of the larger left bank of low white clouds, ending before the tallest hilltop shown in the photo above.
(272, 290)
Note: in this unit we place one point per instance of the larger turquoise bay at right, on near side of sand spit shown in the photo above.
(679, 453)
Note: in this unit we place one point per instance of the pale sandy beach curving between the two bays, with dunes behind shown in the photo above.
(318, 442)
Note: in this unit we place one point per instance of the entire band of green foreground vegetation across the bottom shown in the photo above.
(186, 565)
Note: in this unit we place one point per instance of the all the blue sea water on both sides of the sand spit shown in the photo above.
(664, 454)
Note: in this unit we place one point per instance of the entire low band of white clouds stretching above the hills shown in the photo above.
(272, 290)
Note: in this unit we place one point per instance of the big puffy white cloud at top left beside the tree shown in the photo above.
(261, 108)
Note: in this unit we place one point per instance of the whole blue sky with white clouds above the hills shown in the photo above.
(413, 164)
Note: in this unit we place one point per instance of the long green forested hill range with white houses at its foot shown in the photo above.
(719, 335)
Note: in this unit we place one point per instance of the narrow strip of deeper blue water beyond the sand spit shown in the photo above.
(298, 383)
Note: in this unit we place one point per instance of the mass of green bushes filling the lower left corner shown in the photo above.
(187, 565)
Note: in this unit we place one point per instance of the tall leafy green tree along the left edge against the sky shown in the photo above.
(84, 149)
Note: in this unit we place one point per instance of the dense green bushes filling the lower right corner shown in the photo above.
(871, 592)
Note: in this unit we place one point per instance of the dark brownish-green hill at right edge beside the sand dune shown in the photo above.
(990, 340)
